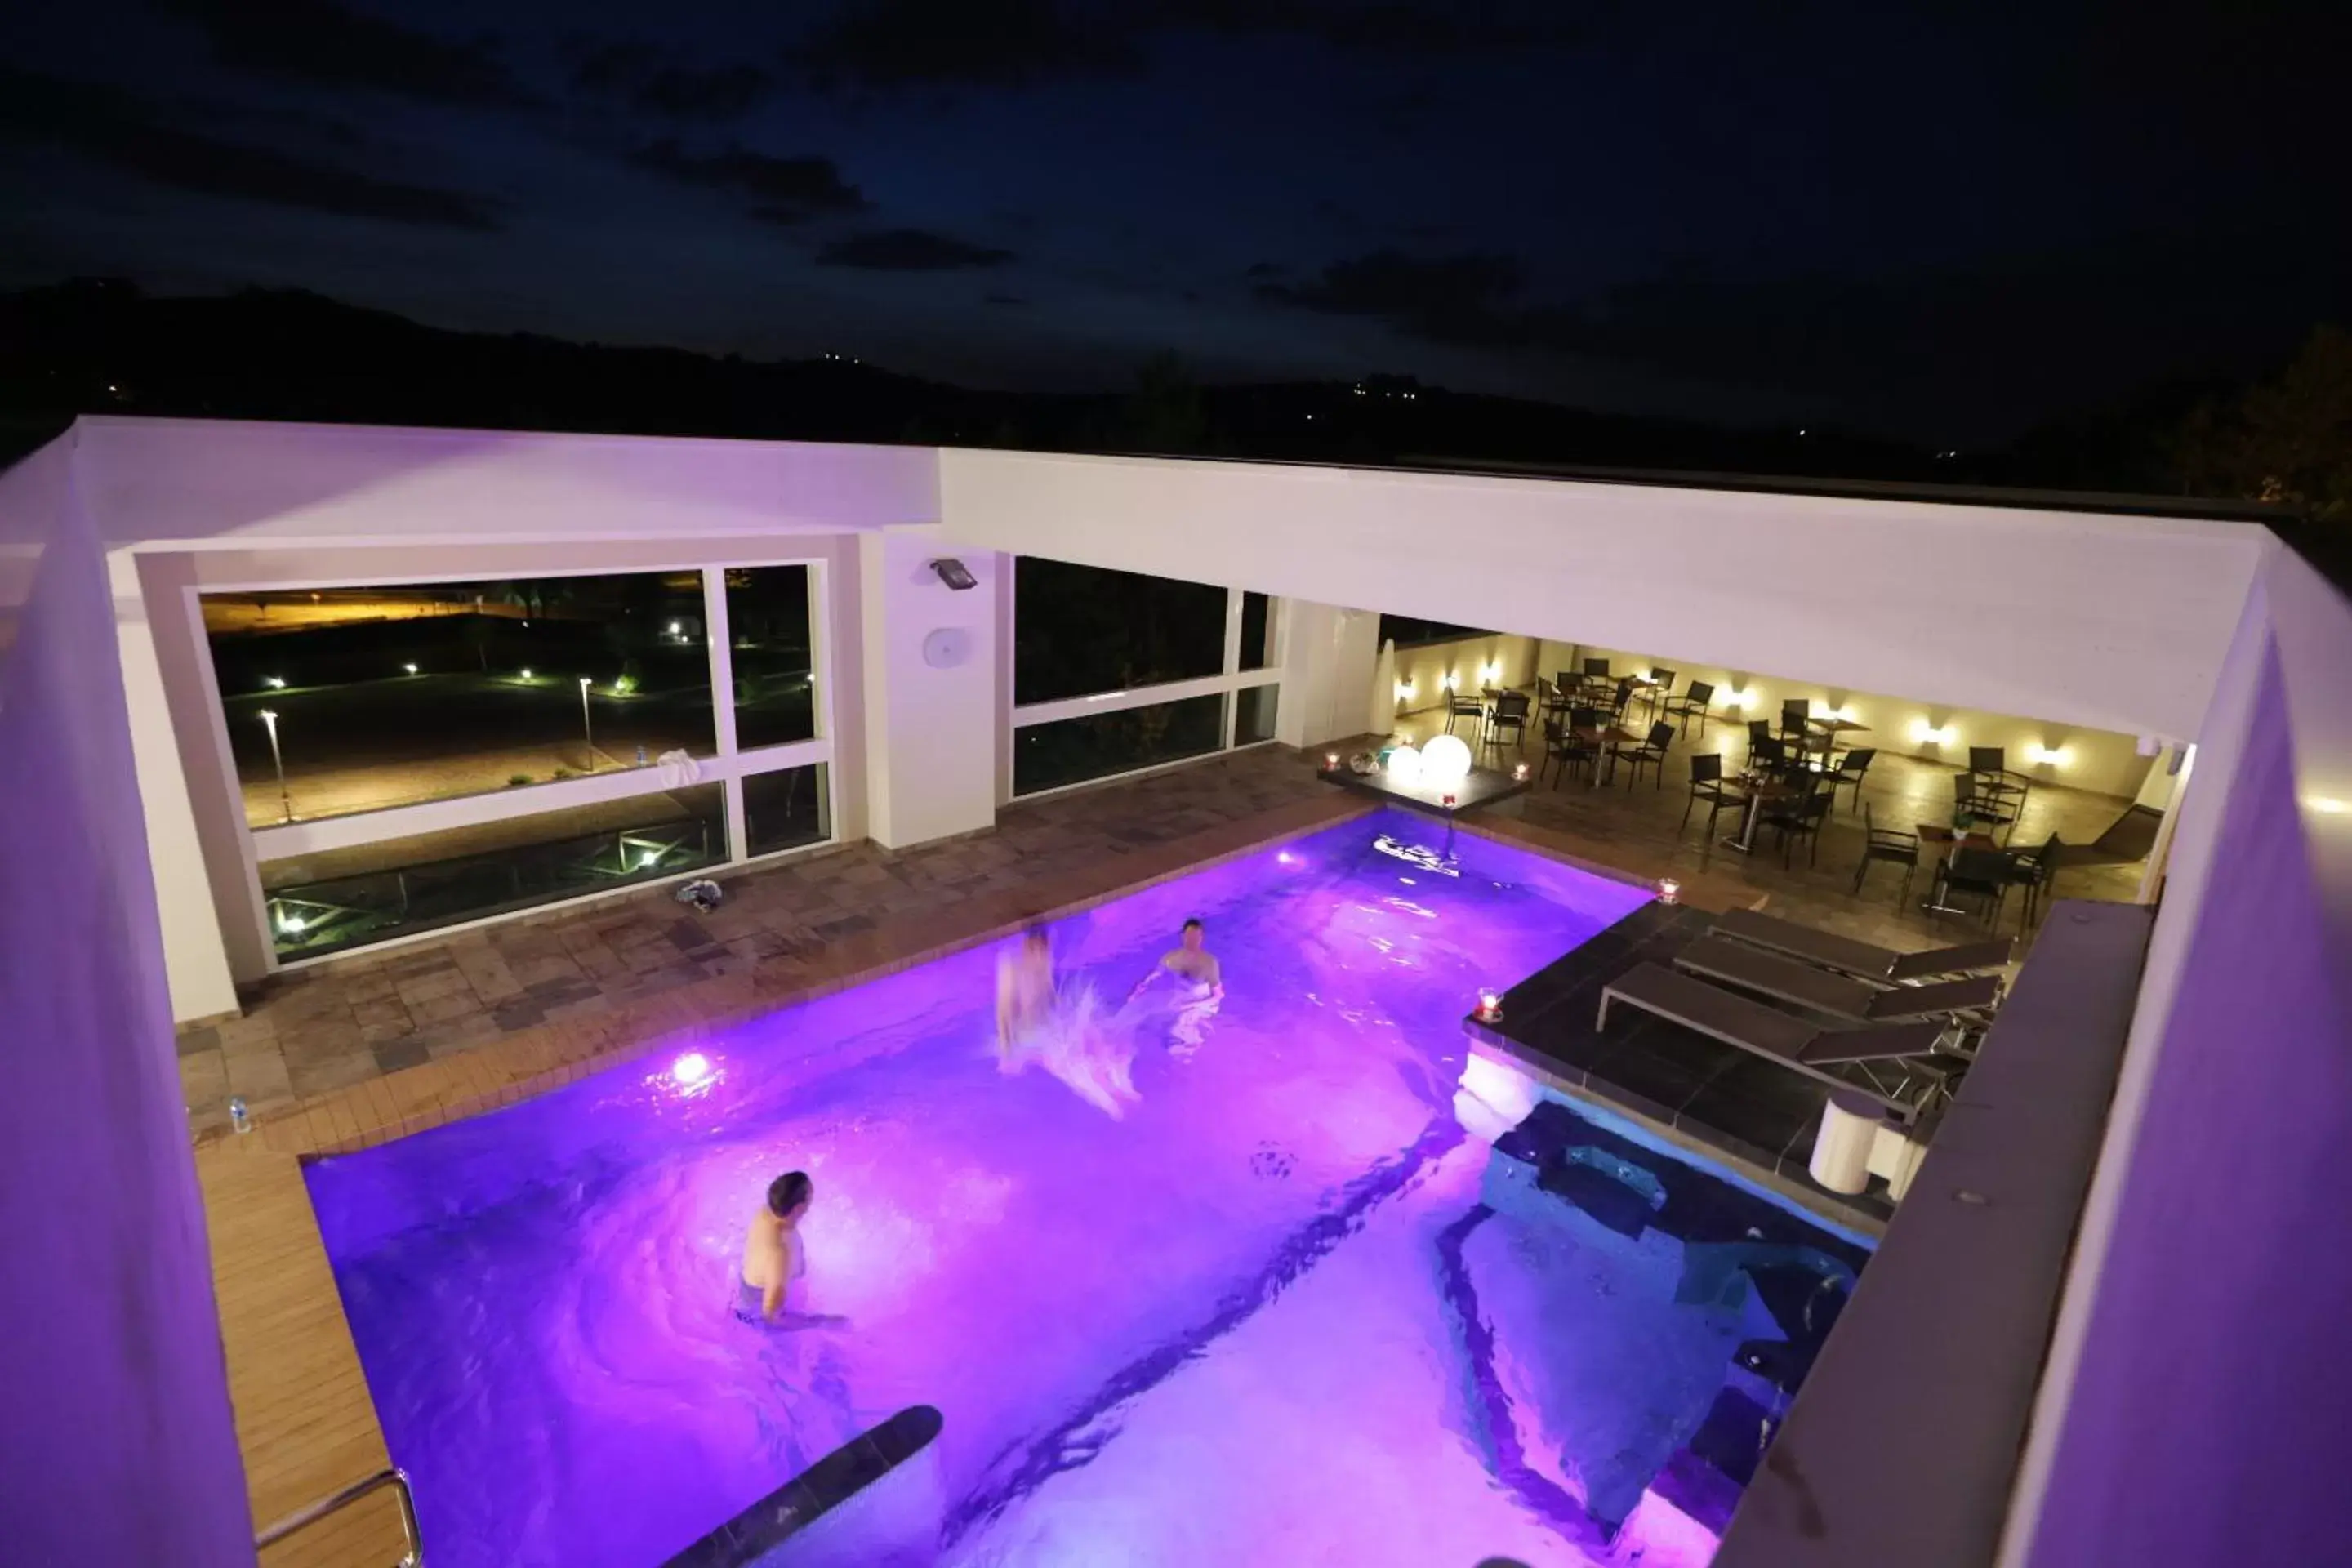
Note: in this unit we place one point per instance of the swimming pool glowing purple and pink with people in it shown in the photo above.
(1271, 1315)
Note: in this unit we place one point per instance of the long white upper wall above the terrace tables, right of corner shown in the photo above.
(2080, 619)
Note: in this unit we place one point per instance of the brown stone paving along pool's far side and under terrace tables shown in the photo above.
(838, 916)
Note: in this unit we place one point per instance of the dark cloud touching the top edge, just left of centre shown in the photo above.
(883, 46)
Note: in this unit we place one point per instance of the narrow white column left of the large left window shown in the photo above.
(196, 958)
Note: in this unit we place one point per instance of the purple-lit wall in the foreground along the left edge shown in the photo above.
(116, 1442)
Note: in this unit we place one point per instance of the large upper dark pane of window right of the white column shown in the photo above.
(1083, 631)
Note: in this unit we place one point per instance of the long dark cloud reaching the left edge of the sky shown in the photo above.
(121, 130)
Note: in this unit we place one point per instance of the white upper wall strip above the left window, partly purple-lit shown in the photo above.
(234, 483)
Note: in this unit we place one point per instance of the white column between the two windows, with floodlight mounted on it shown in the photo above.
(930, 716)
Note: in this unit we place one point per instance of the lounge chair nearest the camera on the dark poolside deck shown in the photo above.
(1883, 1052)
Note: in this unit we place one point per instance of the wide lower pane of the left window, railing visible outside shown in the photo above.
(366, 894)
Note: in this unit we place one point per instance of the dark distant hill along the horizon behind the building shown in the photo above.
(274, 354)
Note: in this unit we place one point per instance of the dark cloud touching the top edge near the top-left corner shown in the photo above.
(316, 41)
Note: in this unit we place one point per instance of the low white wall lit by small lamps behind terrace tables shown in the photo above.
(2087, 758)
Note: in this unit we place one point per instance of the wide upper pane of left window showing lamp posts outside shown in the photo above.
(389, 697)
